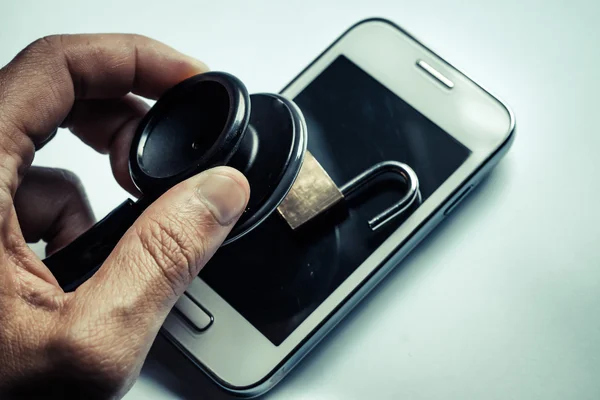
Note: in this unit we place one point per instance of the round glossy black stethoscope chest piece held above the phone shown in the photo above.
(210, 120)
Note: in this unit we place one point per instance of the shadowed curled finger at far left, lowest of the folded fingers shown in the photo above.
(51, 205)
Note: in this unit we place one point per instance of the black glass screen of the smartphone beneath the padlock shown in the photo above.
(275, 277)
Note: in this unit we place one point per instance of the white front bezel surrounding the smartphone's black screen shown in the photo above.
(232, 350)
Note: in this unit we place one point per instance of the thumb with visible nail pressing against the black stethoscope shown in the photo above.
(168, 245)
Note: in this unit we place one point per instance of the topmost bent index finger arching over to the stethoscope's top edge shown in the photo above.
(39, 86)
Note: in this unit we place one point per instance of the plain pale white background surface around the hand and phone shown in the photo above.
(503, 301)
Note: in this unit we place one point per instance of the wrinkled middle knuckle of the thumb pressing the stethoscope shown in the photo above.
(167, 245)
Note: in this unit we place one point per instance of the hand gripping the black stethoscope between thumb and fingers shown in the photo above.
(91, 343)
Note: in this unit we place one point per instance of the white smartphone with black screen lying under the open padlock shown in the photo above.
(376, 94)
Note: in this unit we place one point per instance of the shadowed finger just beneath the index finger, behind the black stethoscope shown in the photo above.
(108, 126)
